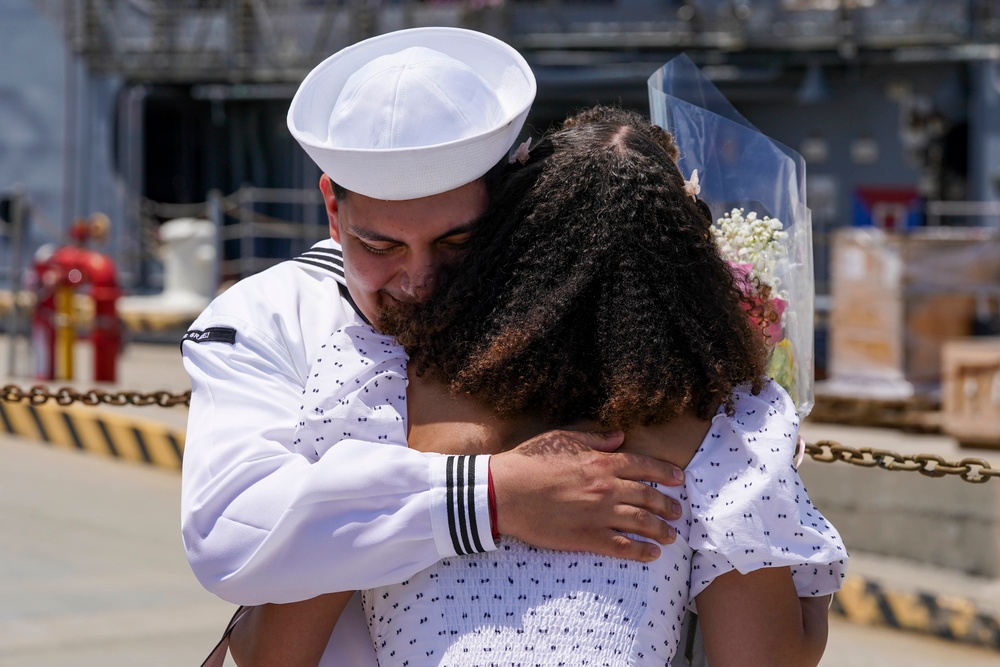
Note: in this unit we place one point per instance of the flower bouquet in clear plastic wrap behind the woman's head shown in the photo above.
(755, 188)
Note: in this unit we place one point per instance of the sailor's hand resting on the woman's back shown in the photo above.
(569, 490)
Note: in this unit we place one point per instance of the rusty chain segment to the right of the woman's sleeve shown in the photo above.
(975, 471)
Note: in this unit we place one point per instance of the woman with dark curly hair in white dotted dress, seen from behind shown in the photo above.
(593, 296)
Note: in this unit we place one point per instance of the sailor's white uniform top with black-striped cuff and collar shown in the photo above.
(270, 517)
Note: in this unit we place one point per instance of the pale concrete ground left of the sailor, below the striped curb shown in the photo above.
(92, 571)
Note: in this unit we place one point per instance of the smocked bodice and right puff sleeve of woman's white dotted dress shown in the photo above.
(744, 508)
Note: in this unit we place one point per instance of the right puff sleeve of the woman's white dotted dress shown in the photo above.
(749, 507)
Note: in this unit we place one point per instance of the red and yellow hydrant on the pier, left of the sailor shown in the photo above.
(59, 276)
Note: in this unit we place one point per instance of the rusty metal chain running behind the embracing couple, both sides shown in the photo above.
(973, 470)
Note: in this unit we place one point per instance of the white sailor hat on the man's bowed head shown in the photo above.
(413, 113)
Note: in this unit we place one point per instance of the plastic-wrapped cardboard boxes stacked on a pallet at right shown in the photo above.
(898, 297)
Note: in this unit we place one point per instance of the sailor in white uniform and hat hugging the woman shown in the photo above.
(409, 129)
